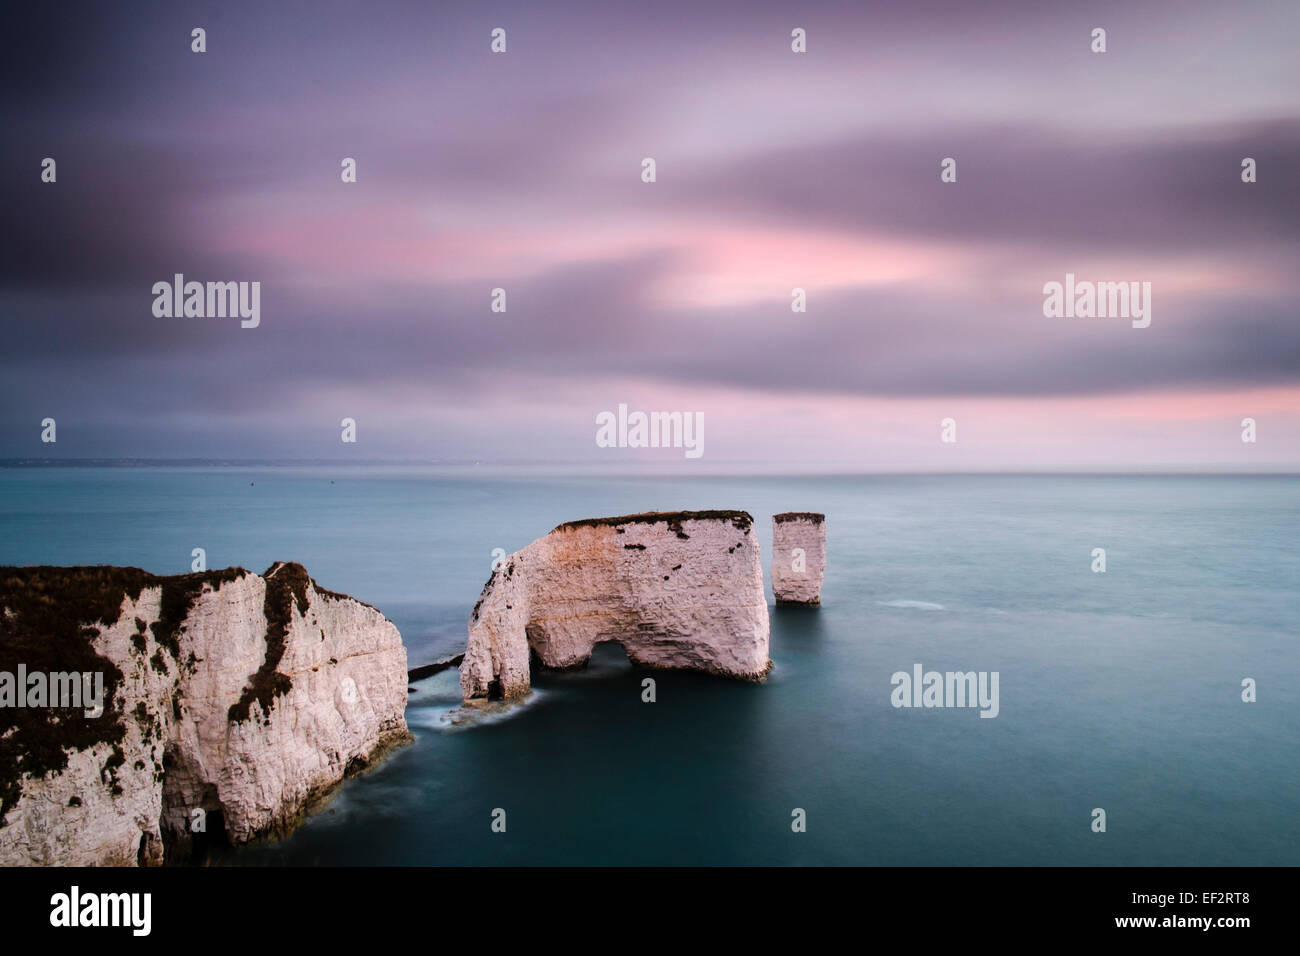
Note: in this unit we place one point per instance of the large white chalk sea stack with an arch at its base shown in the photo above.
(679, 590)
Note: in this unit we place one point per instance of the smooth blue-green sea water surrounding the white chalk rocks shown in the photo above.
(1117, 690)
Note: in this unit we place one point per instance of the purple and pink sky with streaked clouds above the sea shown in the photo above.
(774, 171)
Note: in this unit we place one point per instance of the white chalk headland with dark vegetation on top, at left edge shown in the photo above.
(232, 700)
